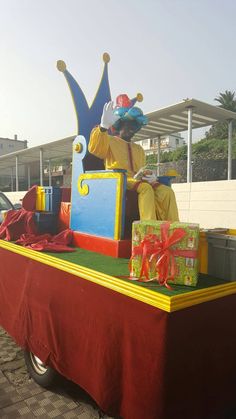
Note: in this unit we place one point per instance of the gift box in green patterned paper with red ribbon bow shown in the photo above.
(165, 251)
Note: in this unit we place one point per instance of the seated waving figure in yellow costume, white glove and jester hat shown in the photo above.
(156, 201)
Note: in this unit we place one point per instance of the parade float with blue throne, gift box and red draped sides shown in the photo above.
(134, 319)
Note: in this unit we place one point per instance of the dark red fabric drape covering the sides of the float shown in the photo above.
(135, 360)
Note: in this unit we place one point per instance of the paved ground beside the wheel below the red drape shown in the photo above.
(22, 398)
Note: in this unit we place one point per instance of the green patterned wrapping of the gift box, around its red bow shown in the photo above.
(184, 252)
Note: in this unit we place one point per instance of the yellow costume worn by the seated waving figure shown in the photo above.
(157, 201)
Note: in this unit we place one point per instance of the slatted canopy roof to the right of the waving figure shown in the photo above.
(174, 118)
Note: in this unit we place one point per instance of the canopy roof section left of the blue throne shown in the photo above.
(53, 150)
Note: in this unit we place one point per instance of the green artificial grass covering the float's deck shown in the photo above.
(118, 267)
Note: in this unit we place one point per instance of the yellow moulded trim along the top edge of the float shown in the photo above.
(155, 299)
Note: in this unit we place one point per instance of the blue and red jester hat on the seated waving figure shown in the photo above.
(126, 110)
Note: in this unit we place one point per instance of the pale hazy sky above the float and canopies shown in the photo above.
(166, 49)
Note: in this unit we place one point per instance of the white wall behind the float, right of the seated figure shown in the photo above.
(211, 204)
